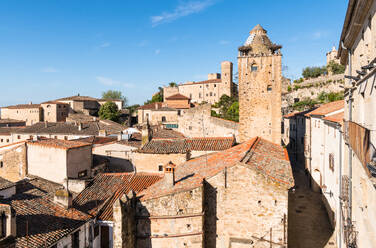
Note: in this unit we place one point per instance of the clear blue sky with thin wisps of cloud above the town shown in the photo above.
(54, 48)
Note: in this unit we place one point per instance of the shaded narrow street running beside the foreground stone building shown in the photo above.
(308, 225)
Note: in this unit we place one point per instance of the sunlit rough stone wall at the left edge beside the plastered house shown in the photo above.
(14, 162)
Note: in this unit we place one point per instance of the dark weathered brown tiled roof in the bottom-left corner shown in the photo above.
(47, 221)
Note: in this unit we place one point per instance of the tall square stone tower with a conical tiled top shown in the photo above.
(260, 81)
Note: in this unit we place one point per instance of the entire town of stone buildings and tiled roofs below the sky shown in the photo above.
(245, 158)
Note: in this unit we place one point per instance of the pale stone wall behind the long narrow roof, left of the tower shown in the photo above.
(198, 122)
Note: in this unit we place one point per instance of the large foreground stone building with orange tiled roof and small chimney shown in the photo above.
(226, 199)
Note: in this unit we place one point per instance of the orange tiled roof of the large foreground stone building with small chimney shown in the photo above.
(268, 158)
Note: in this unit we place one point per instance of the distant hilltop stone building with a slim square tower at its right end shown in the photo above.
(210, 90)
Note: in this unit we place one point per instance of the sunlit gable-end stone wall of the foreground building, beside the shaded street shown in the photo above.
(242, 207)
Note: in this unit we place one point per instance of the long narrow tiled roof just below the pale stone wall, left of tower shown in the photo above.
(166, 146)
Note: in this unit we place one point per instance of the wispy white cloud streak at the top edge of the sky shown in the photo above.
(183, 9)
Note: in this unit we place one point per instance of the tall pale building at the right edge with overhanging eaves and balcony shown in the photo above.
(356, 50)
